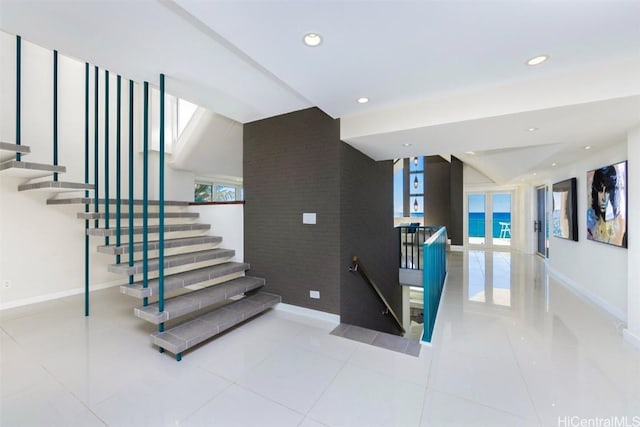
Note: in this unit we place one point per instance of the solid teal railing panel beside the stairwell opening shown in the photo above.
(435, 271)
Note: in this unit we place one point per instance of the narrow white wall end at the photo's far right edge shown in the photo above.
(632, 333)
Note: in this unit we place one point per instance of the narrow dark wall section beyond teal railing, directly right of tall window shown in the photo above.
(437, 198)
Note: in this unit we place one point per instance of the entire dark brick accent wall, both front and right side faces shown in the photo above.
(296, 163)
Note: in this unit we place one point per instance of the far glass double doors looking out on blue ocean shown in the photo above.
(489, 219)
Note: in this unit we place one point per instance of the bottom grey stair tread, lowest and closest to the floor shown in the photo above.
(188, 334)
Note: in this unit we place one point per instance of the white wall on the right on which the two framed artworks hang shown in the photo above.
(596, 270)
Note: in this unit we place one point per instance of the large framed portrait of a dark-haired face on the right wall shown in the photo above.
(607, 204)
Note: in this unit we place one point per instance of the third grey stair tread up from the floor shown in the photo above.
(187, 278)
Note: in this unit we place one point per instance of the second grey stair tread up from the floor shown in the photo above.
(197, 300)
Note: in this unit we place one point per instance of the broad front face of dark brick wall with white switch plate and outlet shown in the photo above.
(292, 166)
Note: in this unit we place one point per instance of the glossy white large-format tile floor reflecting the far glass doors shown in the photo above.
(511, 347)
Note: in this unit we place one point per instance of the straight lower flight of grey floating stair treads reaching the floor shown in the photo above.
(207, 293)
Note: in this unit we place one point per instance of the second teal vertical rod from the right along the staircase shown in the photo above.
(145, 193)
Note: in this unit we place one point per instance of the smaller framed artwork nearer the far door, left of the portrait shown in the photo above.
(565, 209)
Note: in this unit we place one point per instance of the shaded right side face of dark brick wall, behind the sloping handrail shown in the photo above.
(367, 232)
